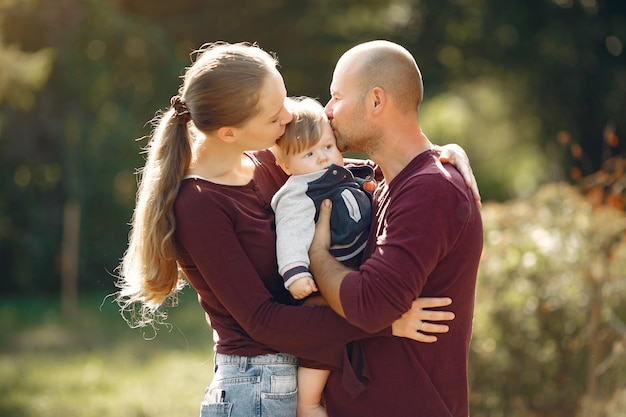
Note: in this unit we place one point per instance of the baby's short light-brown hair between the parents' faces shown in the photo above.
(305, 129)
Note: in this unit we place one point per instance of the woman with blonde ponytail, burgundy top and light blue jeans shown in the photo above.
(204, 206)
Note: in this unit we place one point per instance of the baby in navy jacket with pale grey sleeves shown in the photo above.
(307, 151)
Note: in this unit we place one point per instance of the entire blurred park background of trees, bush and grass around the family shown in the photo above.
(534, 91)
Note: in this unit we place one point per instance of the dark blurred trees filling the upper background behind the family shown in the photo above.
(82, 79)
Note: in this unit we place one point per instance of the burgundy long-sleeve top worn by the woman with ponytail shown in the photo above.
(226, 237)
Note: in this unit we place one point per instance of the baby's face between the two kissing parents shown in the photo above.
(317, 157)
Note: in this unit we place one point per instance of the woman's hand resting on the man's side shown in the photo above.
(415, 323)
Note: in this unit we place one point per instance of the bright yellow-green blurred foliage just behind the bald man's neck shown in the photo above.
(479, 116)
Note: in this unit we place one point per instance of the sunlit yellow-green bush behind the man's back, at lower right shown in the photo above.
(549, 323)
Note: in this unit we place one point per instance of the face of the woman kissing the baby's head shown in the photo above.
(268, 125)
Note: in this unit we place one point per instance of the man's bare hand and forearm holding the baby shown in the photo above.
(327, 271)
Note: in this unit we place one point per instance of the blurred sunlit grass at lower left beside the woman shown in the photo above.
(95, 365)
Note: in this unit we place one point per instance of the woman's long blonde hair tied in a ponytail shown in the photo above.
(220, 88)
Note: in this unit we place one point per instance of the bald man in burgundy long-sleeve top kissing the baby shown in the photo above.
(426, 240)
